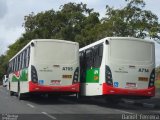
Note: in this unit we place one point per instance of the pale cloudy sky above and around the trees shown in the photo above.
(12, 14)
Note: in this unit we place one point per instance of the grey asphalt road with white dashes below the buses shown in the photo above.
(67, 108)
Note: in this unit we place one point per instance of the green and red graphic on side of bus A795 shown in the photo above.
(21, 75)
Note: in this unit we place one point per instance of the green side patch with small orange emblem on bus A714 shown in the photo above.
(92, 75)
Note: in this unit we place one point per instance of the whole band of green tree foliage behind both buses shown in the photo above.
(76, 22)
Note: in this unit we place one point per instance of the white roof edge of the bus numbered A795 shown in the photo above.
(44, 40)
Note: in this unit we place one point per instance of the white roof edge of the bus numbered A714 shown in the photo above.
(113, 38)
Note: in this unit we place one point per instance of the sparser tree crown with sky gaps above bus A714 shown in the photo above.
(132, 20)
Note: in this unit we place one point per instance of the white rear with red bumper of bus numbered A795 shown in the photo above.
(54, 67)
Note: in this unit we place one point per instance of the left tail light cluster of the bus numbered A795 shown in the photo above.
(34, 76)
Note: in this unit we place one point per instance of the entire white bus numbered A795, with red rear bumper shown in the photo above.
(45, 66)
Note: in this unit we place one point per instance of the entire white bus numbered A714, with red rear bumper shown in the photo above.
(118, 67)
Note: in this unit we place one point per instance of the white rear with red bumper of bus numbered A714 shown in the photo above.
(130, 68)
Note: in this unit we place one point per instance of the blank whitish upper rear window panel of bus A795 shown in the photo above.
(56, 52)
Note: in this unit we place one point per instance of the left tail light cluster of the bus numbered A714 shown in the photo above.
(108, 76)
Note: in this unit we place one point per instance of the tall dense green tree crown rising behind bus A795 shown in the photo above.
(72, 22)
